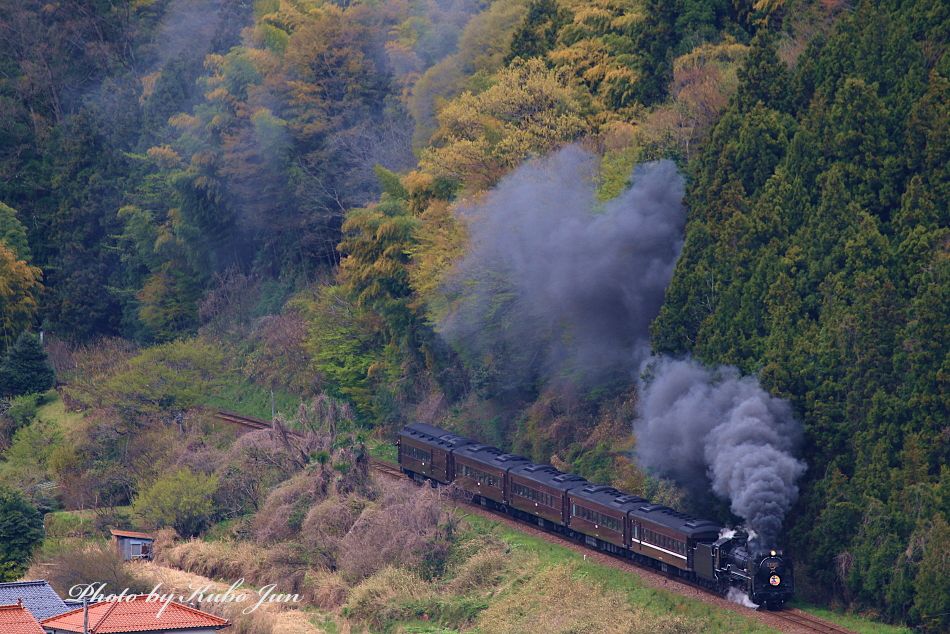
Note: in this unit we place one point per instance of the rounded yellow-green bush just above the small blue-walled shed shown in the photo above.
(182, 500)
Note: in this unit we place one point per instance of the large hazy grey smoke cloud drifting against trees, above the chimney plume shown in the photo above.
(557, 285)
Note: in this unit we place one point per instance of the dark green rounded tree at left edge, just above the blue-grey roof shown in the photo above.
(21, 531)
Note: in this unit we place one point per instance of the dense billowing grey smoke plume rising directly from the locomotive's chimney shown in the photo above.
(696, 423)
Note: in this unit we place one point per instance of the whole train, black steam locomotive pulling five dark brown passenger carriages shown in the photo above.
(600, 516)
